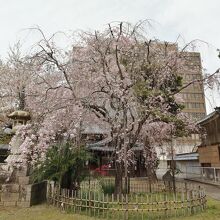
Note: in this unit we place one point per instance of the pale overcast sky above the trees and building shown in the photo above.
(192, 19)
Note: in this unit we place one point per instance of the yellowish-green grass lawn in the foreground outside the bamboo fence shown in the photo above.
(44, 212)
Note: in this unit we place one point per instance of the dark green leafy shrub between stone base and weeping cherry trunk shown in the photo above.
(65, 164)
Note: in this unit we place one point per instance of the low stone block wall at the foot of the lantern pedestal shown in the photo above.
(22, 195)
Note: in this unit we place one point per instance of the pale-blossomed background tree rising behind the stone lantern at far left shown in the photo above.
(16, 76)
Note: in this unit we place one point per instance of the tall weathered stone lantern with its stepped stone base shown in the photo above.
(15, 187)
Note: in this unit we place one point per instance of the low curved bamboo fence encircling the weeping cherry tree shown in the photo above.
(157, 204)
